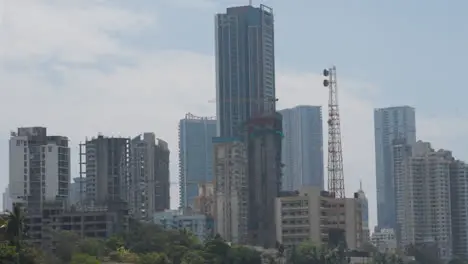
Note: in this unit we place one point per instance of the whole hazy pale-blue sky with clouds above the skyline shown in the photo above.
(124, 67)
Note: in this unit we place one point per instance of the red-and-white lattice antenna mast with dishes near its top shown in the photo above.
(335, 151)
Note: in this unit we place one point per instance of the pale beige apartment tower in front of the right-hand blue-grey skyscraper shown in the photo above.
(423, 196)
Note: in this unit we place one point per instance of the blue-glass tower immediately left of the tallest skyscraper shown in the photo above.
(195, 156)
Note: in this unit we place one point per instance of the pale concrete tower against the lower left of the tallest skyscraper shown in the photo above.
(231, 189)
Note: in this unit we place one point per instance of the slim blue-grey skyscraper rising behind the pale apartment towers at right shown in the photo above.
(390, 124)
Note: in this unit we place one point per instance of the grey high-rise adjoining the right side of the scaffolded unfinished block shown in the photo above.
(149, 176)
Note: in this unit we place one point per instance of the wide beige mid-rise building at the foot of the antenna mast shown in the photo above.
(310, 214)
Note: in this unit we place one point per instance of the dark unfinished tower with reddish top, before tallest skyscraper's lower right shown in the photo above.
(263, 138)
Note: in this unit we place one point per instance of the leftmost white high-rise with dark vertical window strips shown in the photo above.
(39, 166)
